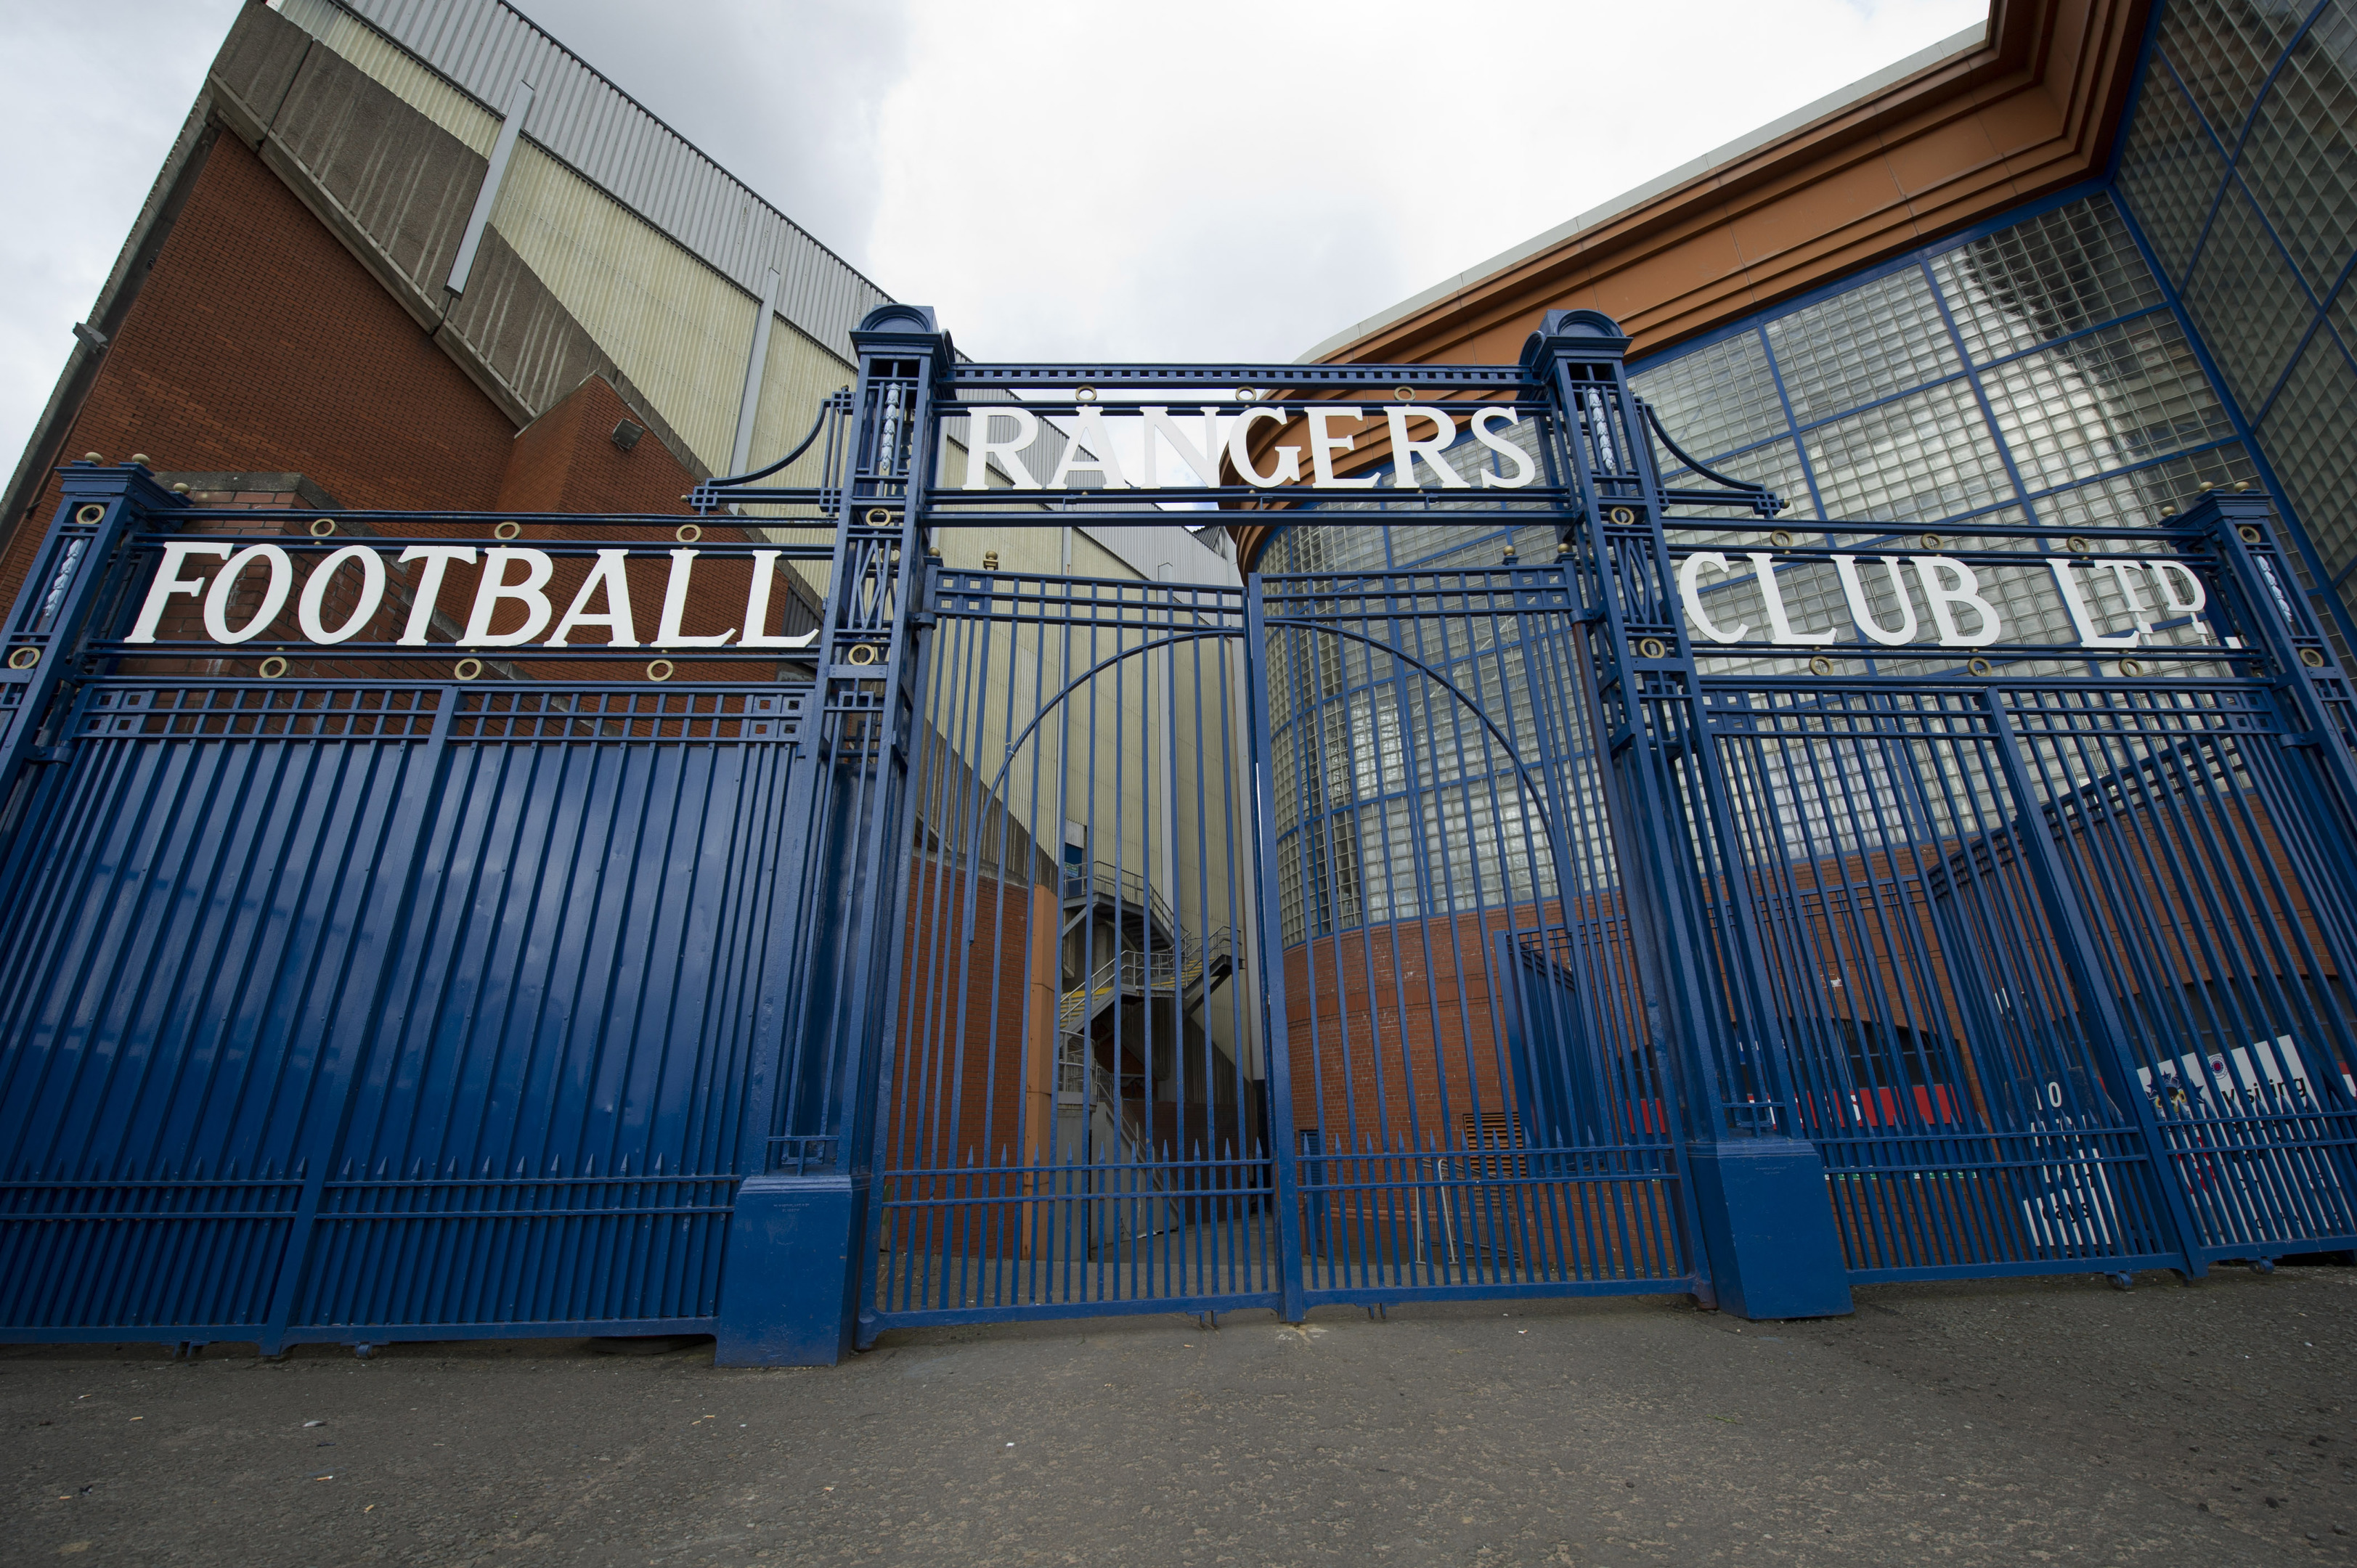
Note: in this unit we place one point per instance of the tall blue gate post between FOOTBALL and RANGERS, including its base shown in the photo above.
(803, 1223)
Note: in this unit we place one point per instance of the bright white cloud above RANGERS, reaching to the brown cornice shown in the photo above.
(1241, 180)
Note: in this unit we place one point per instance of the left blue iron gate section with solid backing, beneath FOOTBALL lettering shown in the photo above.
(378, 999)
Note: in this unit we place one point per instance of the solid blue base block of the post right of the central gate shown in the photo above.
(1769, 1227)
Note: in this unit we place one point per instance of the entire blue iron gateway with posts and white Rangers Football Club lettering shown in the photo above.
(383, 961)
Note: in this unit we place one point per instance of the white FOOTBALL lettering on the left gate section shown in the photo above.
(513, 577)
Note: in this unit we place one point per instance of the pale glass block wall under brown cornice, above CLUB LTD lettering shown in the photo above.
(2033, 374)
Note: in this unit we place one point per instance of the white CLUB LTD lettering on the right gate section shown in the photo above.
(1957, 607)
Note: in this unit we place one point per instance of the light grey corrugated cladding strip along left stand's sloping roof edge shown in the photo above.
(607, 136)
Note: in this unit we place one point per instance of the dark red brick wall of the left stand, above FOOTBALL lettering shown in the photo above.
(260, 345)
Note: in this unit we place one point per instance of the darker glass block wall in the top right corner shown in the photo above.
(2240, 169)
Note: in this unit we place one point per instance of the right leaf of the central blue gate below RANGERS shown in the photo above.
(1481, 1109)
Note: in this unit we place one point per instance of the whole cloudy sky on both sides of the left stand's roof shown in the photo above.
(1109, 180)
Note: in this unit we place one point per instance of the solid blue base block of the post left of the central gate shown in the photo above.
(788, 1277)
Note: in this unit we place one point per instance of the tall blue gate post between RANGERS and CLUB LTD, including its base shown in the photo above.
(1757, 1192)
